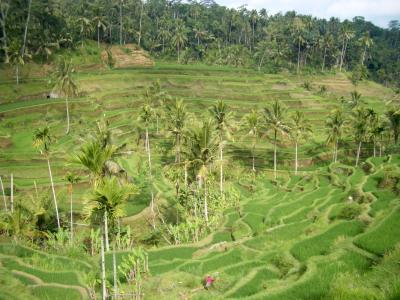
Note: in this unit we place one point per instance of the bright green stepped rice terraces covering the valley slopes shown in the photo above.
(285, 241)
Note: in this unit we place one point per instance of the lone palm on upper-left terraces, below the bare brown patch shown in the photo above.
(65, 83)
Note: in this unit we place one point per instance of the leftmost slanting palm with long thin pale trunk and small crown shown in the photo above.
(42, 141)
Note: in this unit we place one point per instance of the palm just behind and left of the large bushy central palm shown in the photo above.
(177, 115)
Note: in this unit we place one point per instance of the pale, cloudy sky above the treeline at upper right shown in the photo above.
(379, 12)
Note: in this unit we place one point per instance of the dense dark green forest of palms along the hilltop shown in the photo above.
(203, 31)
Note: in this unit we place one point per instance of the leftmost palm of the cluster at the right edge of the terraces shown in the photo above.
(335, 126)
